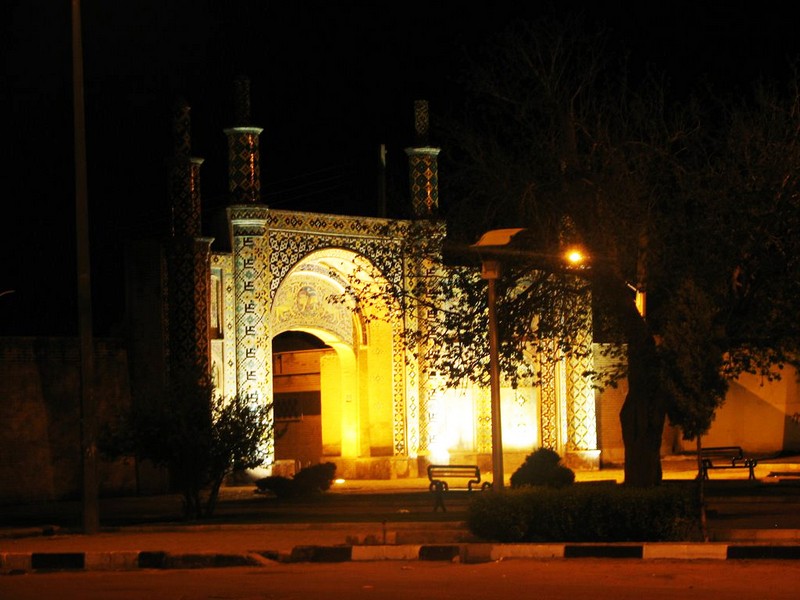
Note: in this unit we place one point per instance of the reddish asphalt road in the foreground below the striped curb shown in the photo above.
(599, 579)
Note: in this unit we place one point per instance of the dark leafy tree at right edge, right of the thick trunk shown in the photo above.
(735, 284)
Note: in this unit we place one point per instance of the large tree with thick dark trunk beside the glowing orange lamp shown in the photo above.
(553, 133)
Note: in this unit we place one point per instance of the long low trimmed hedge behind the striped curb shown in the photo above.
(583, 513)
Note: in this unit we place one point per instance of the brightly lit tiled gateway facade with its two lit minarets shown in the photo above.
(382, 411)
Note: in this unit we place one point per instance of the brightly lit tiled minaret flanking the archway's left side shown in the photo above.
(248, 222)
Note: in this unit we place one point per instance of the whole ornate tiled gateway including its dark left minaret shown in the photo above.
(361, 397)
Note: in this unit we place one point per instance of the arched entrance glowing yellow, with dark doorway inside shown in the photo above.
(331, 294)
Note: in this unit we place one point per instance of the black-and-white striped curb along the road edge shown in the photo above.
(25, 562)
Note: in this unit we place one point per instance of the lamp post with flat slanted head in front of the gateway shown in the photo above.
(490, 271)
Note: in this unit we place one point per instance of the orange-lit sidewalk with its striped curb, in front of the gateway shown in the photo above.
(375, 520)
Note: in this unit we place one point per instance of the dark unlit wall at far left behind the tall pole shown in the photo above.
(40, 417)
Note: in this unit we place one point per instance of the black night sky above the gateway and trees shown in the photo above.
(331, 80)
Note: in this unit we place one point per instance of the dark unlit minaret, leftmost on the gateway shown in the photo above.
(188, 275)
